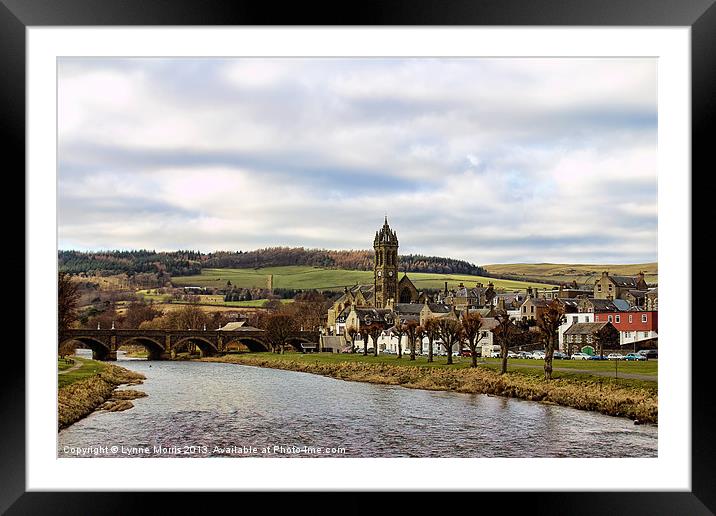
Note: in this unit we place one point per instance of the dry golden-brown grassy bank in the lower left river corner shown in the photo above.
(92, 386)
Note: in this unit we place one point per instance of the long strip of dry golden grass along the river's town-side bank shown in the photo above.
(626, 398)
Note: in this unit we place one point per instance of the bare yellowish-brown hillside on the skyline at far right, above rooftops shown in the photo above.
(566, 273)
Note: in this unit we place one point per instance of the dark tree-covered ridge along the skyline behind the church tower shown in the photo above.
(187, 263)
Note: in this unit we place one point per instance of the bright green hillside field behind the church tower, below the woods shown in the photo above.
(305, 278)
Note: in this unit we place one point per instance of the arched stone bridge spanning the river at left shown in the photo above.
(164, 344)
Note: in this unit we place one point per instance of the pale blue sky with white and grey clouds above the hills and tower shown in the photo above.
(488, 160)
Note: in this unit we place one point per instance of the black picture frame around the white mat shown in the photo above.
(700, 15)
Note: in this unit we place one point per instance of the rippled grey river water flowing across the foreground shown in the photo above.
(201, 409)
